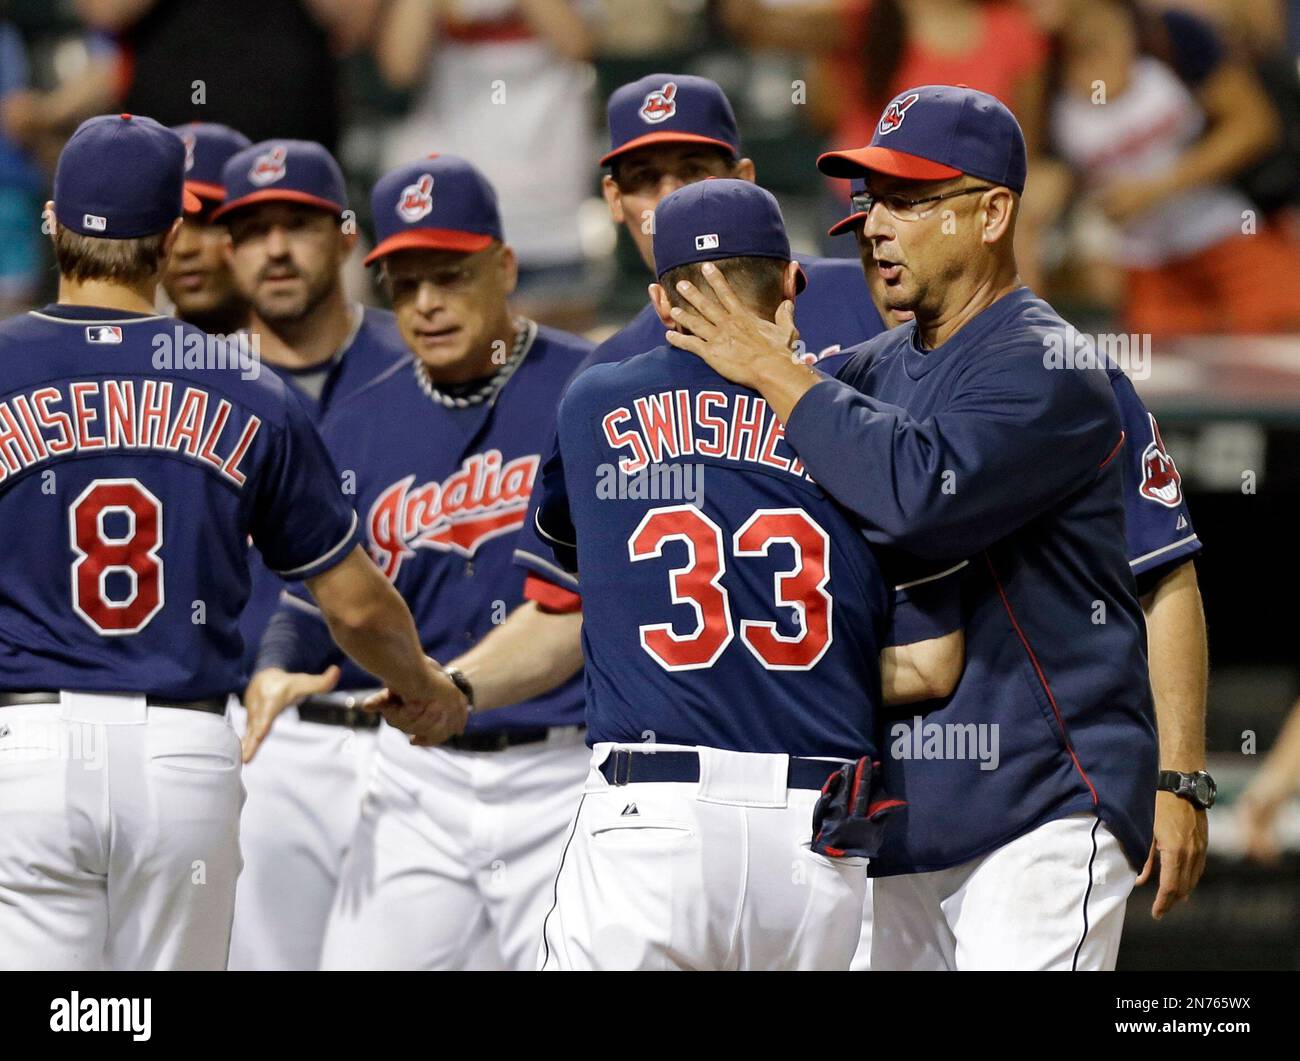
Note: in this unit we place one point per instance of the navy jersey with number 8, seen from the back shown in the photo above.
(128, 496)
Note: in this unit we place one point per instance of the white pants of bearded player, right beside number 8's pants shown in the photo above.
(305, 800)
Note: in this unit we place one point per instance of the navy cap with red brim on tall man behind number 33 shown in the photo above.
(670, 109)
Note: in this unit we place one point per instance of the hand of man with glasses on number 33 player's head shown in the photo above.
(740, 345)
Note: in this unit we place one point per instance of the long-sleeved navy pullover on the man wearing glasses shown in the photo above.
(980, 448)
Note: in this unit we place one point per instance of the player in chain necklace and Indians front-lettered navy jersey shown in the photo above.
(457, 846)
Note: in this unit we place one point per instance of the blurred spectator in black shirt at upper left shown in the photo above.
(265, 67)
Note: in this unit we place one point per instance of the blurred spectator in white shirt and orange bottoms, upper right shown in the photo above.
(1156, 119)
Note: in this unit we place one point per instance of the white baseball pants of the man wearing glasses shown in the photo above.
(1051, 899)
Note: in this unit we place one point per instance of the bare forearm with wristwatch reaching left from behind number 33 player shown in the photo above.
(530, 655)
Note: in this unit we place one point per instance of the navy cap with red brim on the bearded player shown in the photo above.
(283, 172)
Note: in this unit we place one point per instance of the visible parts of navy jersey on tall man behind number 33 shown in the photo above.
(834, 310)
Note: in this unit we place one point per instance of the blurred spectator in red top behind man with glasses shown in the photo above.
(869, 51)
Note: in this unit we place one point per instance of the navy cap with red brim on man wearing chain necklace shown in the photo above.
(436, 203)
